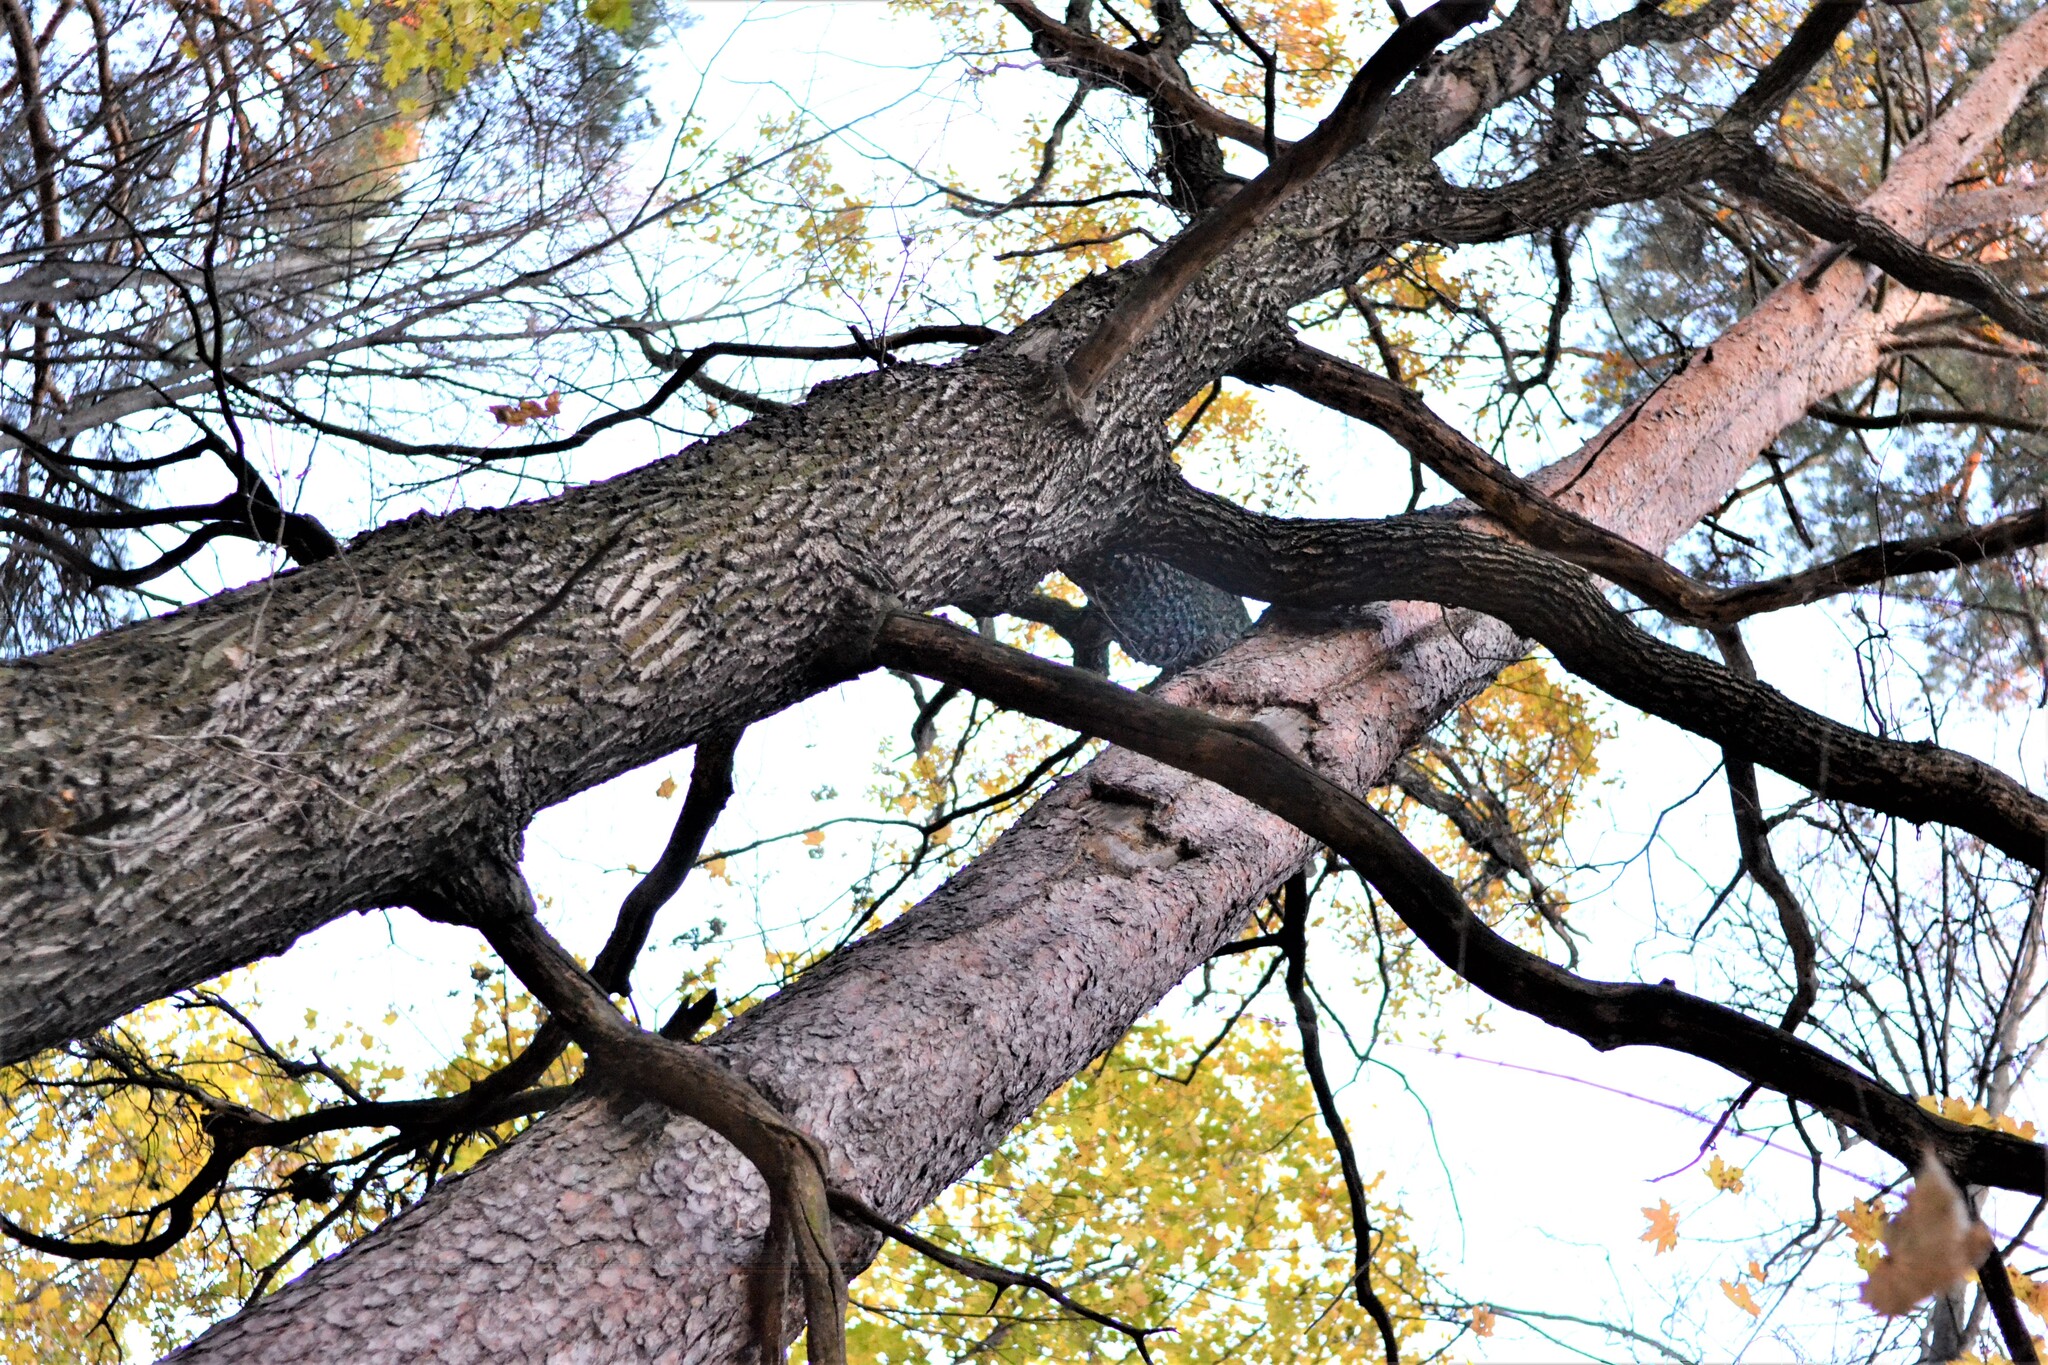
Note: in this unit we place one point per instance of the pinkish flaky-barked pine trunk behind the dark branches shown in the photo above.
(607, 1237)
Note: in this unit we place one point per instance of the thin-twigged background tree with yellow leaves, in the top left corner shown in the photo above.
(218, 220)
